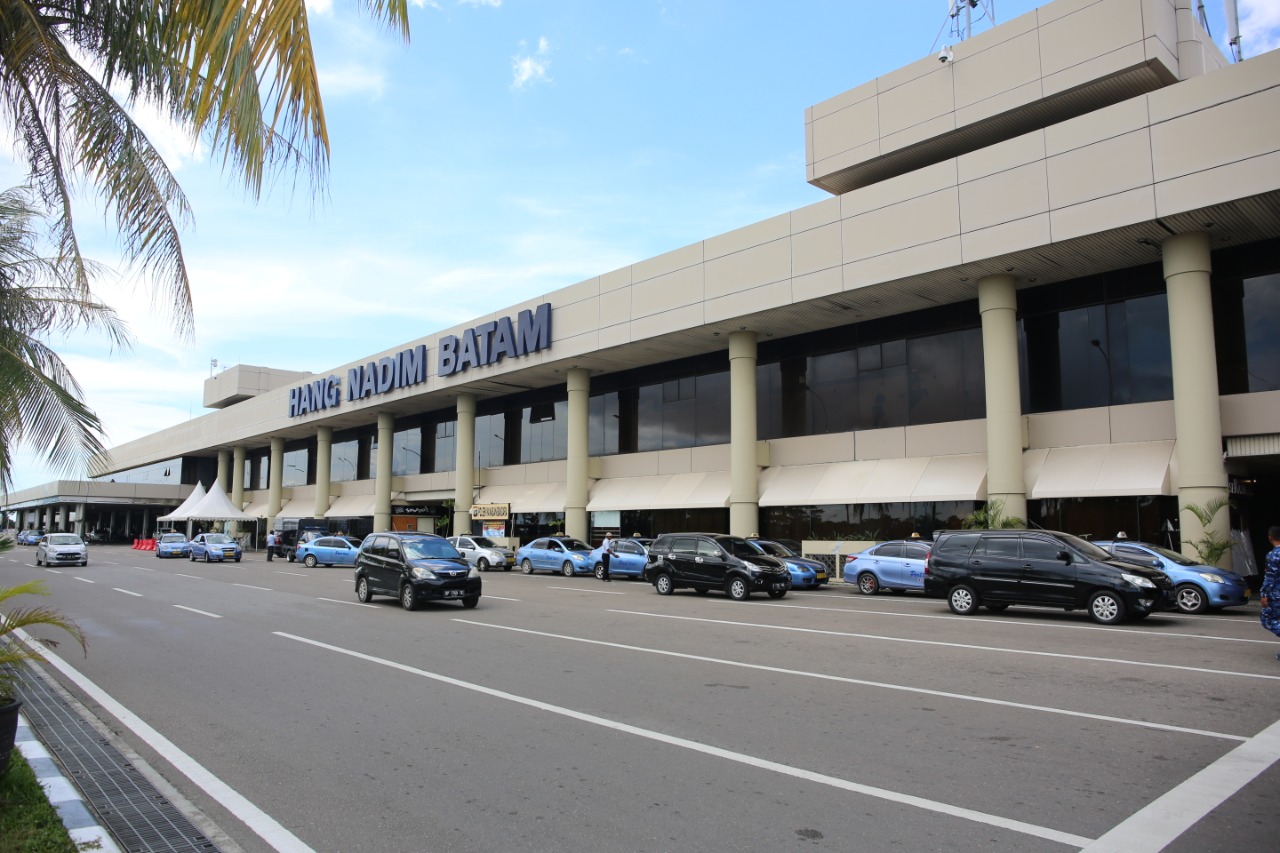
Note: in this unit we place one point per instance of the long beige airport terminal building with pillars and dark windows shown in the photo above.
(1049, 275)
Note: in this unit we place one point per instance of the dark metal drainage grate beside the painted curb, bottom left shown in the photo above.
(138, 815)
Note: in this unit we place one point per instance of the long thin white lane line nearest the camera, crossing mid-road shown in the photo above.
(764, 764)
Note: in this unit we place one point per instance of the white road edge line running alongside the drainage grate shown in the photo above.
(254, 818)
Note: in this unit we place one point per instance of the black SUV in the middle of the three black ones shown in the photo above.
(707, 562)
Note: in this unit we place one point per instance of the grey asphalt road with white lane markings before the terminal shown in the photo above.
(570, 715)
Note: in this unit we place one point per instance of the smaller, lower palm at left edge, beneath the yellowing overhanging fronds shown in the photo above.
(43, 405)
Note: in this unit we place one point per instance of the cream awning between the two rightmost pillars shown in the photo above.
(1100, 471)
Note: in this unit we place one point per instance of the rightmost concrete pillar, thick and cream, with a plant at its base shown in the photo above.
(1197, 414)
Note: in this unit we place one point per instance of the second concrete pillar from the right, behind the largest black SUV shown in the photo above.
(998, 303)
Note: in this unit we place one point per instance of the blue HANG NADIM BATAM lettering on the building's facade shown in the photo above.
(477, 348)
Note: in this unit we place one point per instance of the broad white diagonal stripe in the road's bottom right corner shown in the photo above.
(1158, 824)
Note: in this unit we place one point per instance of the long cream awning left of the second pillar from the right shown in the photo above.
(886, 481)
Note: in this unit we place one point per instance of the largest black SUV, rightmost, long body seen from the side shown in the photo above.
(1044, 568)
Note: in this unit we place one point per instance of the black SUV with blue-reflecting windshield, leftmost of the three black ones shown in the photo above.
(415, 568)
